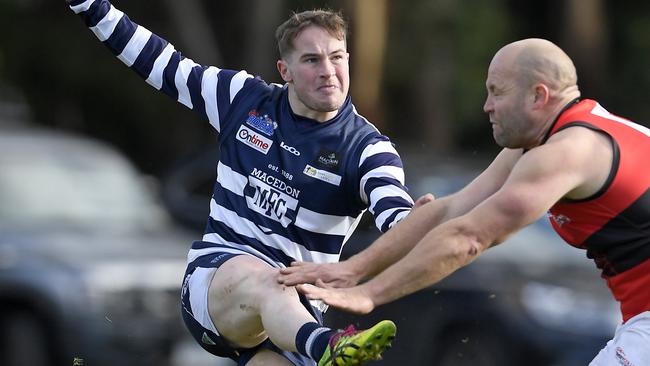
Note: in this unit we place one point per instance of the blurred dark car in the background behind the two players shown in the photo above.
(533, 300)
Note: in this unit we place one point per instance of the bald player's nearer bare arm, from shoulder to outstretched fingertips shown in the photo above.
(540, 178)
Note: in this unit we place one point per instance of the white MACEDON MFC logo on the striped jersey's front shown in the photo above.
(272, 197)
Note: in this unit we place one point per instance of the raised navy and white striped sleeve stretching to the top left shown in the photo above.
(205, 89)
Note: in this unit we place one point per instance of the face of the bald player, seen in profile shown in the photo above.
(506, 106)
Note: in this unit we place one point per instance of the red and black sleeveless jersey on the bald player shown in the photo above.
(613, 225)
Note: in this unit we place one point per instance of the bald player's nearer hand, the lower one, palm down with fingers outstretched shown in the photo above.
(353, 300)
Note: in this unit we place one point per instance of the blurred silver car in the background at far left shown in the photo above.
(90, 262)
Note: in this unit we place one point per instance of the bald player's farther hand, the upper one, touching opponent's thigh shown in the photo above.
(332, 274)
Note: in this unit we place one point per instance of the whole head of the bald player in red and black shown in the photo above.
(528, 84)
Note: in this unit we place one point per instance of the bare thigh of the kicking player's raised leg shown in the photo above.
(234, 299)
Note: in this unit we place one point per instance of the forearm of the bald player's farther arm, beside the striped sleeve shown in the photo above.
(400, 240)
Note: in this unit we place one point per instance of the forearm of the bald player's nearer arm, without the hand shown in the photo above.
(453, 245)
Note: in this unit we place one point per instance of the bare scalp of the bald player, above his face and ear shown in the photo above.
(537, 60)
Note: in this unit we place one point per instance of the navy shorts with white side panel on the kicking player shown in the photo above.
(202, 328)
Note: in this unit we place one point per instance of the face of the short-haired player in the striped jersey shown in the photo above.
(318, 74)
